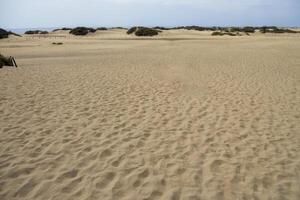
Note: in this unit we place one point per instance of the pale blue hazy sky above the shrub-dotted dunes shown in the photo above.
(126, 13)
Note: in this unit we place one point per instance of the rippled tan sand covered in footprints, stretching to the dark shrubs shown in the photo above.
(182, 116)
